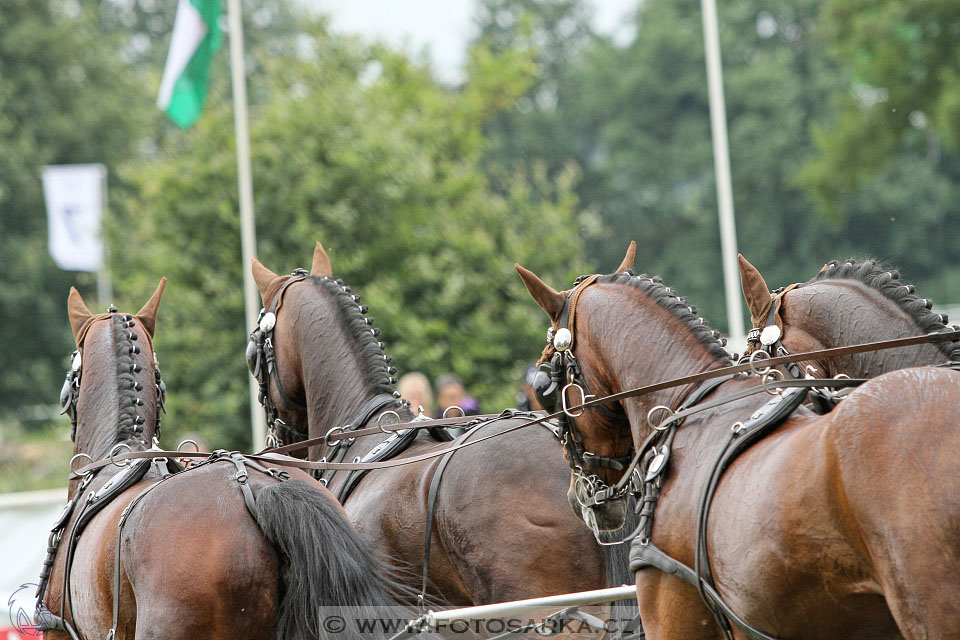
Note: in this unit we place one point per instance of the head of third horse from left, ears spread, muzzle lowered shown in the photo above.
(586, 346)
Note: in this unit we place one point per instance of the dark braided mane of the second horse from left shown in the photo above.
(370, 350)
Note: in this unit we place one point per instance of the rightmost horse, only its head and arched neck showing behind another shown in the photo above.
(845, 304)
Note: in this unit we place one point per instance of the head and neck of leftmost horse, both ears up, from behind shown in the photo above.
(113, 392)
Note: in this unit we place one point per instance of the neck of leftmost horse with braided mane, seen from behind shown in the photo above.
(108, 409)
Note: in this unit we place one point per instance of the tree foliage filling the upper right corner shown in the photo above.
(902, 58)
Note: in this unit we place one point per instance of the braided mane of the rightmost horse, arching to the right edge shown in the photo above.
(887, 282)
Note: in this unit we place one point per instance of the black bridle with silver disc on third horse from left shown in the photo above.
(558, 376)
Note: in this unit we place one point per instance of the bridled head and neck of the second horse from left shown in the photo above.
(313, 335)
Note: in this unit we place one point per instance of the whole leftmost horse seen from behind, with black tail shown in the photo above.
(227, 549)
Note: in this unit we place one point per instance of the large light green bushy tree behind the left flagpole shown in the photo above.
(361, 150)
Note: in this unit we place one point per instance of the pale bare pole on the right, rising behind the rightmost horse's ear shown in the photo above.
(721, 165)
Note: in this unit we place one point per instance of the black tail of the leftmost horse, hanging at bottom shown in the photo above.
(328, 574)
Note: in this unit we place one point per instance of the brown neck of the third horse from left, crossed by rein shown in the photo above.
(645, 346)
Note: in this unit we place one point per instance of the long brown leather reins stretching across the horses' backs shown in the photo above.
(953, 334)
